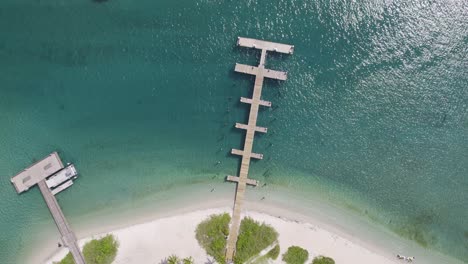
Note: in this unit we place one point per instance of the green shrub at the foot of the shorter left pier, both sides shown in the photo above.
(97, 251)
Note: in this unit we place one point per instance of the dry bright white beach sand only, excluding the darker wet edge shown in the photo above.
(152, 241)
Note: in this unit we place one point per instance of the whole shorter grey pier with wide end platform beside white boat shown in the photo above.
(37, 174)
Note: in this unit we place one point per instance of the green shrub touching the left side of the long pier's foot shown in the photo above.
(211, 235)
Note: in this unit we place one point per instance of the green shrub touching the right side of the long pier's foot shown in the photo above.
(253, 238)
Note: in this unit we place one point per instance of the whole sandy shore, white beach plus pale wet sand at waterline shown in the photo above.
(148, 232)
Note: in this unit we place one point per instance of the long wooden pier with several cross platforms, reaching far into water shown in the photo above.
(260, 73)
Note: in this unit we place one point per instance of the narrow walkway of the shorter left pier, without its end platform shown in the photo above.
(68, 237)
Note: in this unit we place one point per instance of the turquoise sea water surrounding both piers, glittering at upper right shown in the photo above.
(142, 97)
